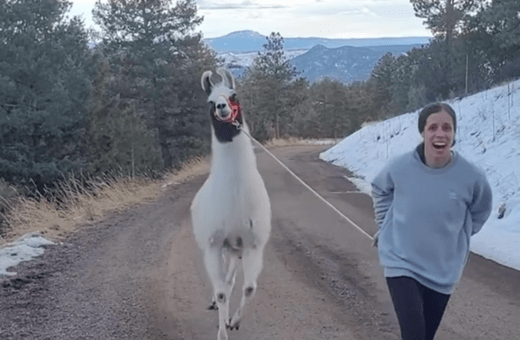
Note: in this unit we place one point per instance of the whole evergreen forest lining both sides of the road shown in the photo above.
(127, 98)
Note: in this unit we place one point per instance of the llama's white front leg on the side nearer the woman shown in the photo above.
(252, 260)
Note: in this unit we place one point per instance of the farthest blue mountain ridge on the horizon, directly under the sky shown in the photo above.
(250, 41)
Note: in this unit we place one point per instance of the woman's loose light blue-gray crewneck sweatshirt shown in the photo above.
(426, 217)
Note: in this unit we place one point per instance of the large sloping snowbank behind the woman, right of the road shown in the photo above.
(488, 134)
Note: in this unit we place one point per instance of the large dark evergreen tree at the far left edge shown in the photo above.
(44, 91)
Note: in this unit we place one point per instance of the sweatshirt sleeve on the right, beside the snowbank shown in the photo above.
(481, 204)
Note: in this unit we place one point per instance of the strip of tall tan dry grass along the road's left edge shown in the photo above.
(82, 204)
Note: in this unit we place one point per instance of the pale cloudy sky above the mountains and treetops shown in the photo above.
(300, 18)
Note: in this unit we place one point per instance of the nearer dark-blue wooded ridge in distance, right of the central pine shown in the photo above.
(346, 64)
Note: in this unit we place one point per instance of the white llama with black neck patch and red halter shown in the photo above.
(231, 213)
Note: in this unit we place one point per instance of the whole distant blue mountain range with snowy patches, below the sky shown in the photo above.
(346, 60)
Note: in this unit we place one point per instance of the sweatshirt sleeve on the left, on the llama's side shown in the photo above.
(382, 195)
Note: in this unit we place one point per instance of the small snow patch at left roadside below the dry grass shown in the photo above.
(22, 249)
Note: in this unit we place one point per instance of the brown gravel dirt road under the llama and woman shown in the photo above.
(138, 274)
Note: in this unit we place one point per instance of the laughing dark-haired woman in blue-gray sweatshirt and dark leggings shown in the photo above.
(428, 203)
